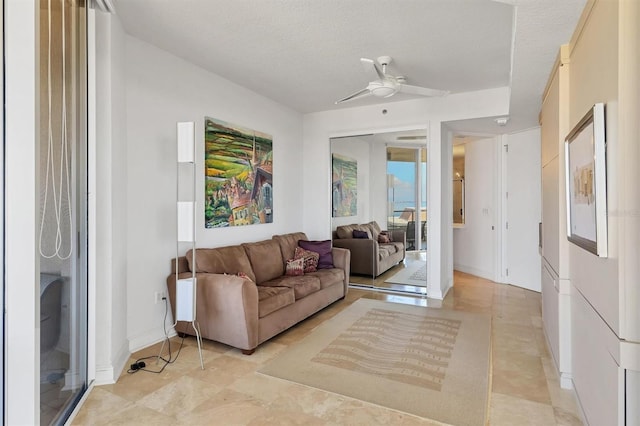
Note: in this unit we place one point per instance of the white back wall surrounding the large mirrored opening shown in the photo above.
(419, 113)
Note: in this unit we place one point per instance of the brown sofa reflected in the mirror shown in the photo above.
(368, 255)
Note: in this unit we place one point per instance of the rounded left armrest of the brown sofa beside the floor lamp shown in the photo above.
(226, 309)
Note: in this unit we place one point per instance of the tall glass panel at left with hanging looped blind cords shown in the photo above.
(62, 230)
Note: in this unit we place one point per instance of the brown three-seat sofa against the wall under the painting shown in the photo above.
(242, 312)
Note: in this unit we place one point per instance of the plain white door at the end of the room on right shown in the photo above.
(522, 261)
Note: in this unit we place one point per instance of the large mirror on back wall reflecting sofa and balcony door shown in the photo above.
(373, 182)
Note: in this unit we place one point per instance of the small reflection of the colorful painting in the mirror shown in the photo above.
(344, 187)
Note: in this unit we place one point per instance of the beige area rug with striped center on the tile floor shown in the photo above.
(432, 363)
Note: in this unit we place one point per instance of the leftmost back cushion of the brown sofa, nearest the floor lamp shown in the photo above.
(222, 260)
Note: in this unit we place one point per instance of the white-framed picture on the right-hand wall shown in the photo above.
(586, 182)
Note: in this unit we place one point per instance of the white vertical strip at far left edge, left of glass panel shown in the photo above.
(22, 327)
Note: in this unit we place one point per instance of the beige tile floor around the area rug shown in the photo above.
(525, 386)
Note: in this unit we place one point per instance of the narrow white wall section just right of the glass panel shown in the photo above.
(111, 343)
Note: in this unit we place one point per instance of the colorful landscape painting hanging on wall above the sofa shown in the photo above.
(238, 175)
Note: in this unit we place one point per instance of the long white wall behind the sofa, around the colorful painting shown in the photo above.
(162, 90)
